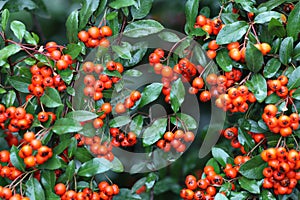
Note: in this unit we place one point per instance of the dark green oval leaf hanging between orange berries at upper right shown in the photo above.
(254, 58)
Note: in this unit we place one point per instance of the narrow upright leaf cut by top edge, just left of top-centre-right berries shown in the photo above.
(191, 12)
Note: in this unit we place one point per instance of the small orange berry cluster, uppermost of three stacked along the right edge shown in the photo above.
(279, 87)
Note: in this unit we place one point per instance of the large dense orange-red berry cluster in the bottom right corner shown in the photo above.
(282, 172)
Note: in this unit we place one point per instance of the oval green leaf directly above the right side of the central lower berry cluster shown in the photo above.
(184, 121)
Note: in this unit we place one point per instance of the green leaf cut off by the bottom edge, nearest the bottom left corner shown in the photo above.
(34, 189)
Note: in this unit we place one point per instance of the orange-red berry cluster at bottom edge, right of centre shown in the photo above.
(204, 188)
